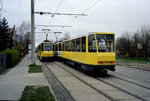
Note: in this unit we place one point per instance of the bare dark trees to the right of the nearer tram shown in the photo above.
(135, 44)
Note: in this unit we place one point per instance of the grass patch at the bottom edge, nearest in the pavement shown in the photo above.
(37, 93)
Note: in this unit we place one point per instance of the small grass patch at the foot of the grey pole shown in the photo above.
(35, 69)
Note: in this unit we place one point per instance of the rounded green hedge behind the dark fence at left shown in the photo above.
(13, 56)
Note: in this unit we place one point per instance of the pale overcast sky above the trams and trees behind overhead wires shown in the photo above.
(116, 16)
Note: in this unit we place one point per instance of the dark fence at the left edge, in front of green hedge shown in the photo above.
(3, 61)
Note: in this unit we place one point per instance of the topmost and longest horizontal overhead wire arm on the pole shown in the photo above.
(50, 13)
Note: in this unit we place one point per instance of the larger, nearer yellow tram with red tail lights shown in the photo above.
(92, 52)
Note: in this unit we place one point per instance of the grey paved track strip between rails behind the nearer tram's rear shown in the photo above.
(120, 83)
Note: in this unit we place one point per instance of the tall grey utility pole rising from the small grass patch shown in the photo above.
(32, 34)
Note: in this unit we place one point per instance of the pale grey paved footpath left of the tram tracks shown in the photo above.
(13, 83)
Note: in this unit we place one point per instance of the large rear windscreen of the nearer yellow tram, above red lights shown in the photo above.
(105, 42)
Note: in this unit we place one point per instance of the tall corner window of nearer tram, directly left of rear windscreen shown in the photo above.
(91, 43)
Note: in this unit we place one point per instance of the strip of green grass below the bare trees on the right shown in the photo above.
(132, 60)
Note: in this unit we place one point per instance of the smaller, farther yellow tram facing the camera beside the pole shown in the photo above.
(45, 50)
